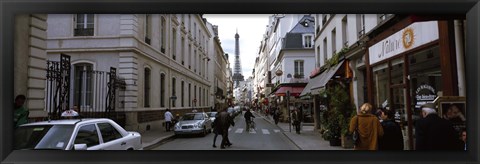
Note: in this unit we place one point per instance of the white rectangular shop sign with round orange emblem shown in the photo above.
(408, 38)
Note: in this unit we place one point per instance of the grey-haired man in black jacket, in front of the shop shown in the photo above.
(435, 133)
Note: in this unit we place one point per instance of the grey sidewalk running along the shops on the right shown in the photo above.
(308, 139)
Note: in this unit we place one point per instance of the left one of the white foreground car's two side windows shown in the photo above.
(87, 135)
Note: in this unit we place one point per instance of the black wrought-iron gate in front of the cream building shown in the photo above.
(92, 93)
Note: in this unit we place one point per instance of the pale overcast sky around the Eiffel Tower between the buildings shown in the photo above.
(251, 28)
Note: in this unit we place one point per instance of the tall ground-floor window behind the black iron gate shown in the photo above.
(83, 85)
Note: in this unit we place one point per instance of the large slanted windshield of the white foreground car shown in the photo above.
(43, 137)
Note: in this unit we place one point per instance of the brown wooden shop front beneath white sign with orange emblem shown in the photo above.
(409, 68)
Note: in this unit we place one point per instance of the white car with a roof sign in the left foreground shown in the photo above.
(76, 134)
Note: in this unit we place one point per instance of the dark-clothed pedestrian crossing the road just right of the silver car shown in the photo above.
(224, 122)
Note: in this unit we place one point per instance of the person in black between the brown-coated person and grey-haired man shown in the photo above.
(392, 138)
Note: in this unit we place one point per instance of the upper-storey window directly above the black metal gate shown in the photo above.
(84, 25)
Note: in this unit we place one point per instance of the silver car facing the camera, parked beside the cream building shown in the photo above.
(194, 123)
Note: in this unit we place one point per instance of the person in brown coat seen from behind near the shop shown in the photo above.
(369, 128)
